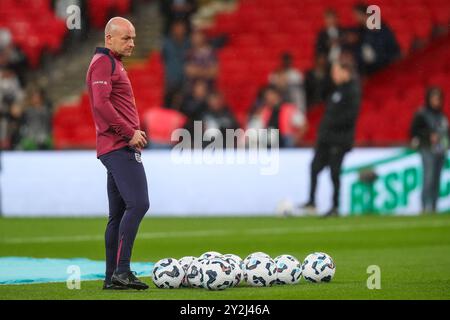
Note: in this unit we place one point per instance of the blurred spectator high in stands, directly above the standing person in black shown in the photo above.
(329, 38)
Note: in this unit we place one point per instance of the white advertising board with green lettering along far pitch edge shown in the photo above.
(73, 183)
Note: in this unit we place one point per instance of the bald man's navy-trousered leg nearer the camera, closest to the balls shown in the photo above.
(129, 176)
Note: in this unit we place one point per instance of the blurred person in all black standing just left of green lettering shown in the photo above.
(336, 131)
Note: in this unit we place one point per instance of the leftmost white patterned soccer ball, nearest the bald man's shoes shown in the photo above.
(167, 273)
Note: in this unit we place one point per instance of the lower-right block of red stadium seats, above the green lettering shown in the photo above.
(392, 96)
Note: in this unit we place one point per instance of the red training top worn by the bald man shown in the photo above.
(112, 101)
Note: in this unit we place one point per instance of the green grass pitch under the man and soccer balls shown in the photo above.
(413, 253)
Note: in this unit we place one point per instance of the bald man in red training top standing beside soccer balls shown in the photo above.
(119, 145)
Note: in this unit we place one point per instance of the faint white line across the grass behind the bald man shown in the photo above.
(260, 231)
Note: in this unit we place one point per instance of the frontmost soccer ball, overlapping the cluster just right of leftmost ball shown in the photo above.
(217, 274)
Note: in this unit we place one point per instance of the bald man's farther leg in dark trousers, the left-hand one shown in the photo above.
(116, 212)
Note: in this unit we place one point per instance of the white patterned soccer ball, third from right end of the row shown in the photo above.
(260, 271)
